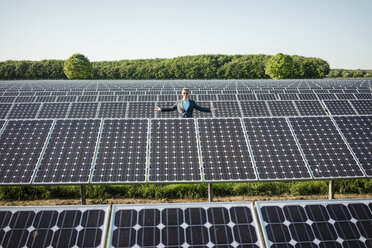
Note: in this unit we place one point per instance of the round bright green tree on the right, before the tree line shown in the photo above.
(279, 66)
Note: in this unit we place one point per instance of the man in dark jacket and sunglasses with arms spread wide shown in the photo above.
(185, 106)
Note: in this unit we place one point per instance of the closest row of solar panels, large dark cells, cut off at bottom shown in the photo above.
(328, 224)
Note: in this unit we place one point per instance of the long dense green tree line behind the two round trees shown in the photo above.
(186, 67)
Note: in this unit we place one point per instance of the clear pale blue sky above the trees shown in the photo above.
(338, 31)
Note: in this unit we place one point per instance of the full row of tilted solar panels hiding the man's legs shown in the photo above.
(184, 150)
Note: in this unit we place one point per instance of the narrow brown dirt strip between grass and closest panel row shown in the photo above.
(54, 202)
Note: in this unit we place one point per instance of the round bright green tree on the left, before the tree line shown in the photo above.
(77, 67)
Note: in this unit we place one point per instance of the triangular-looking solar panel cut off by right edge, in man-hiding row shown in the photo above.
(357, 131)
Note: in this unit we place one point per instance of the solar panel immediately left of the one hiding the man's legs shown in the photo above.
(122, 152)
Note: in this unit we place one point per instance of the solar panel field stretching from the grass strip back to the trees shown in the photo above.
(77, 132)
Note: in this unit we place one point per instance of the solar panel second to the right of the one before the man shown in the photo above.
(274, 149)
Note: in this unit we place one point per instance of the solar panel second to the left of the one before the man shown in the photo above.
(70, 152)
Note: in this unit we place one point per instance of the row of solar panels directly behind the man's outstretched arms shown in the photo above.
(146, 109)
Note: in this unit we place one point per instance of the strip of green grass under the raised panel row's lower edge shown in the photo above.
(184, 191)
